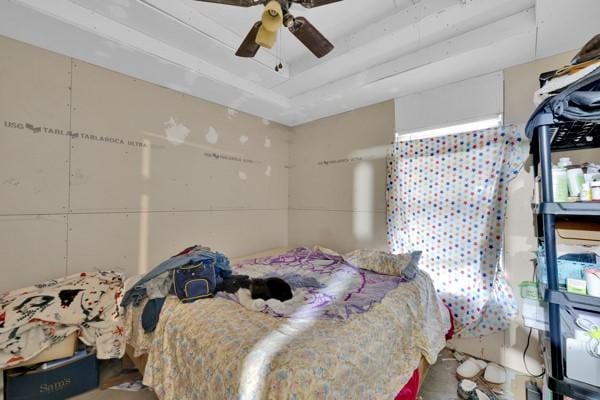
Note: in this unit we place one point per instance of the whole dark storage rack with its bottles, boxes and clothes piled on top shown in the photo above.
(568, 119)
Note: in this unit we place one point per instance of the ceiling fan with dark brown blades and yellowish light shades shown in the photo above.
(276, 15)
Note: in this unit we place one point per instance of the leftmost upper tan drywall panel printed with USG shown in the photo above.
(34, 117)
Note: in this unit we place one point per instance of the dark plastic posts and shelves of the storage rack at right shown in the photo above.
(564, 357)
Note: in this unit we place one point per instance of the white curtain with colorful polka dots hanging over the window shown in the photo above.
(447, 197)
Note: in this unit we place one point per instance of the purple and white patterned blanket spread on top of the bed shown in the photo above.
(333, 289)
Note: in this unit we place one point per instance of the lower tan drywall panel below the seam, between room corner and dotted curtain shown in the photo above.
(342, 231)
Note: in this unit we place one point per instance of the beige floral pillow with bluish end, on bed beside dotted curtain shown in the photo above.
(382, 262)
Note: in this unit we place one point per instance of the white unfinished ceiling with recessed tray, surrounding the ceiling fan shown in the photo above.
(384, 48)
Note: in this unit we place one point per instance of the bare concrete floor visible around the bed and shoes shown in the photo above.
(440, 384)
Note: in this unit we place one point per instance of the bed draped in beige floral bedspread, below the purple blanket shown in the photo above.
(217, 349)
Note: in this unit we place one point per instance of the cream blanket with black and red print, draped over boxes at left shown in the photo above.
(34, 318)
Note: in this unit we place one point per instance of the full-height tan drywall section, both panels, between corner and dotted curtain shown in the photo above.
(337, 166)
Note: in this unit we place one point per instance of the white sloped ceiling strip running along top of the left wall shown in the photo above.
(84, 42)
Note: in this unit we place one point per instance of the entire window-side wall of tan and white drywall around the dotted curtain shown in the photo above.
(324, 169)
